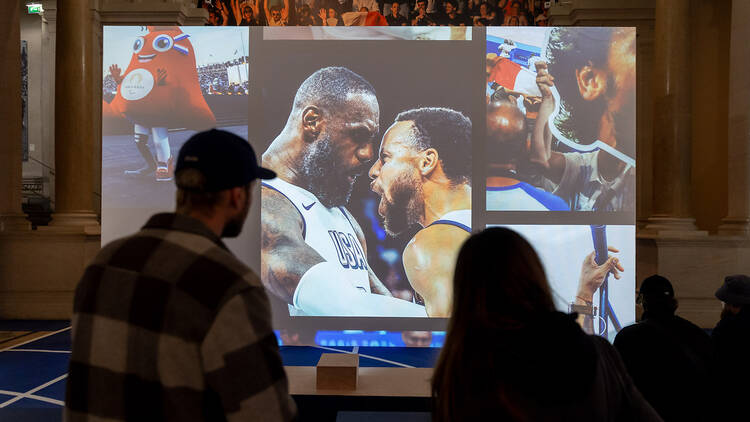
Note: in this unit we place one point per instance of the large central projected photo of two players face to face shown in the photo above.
(373, 197)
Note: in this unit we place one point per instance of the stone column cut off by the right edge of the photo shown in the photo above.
(737, 221)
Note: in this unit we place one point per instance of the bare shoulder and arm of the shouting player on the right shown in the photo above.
(429, 260)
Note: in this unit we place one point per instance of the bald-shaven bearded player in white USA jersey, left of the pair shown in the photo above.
(313, 253)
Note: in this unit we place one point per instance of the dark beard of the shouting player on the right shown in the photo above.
(406, 205)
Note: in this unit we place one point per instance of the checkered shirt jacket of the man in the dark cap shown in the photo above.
(169, 325)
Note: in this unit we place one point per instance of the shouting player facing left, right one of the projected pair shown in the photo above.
(423, 176)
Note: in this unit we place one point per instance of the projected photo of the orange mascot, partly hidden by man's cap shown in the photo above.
(161, 84)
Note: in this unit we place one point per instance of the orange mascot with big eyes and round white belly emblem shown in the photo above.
(160, 90)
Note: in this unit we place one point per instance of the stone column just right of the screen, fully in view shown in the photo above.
(672, 113)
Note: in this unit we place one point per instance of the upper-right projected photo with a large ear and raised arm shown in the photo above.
(560, 119)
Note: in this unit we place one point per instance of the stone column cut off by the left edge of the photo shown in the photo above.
(11, 215)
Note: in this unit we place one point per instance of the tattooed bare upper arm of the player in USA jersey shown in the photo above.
(285, 256)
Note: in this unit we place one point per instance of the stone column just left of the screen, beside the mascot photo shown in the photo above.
(74, 115)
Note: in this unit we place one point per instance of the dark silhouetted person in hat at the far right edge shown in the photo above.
(731, 338)
